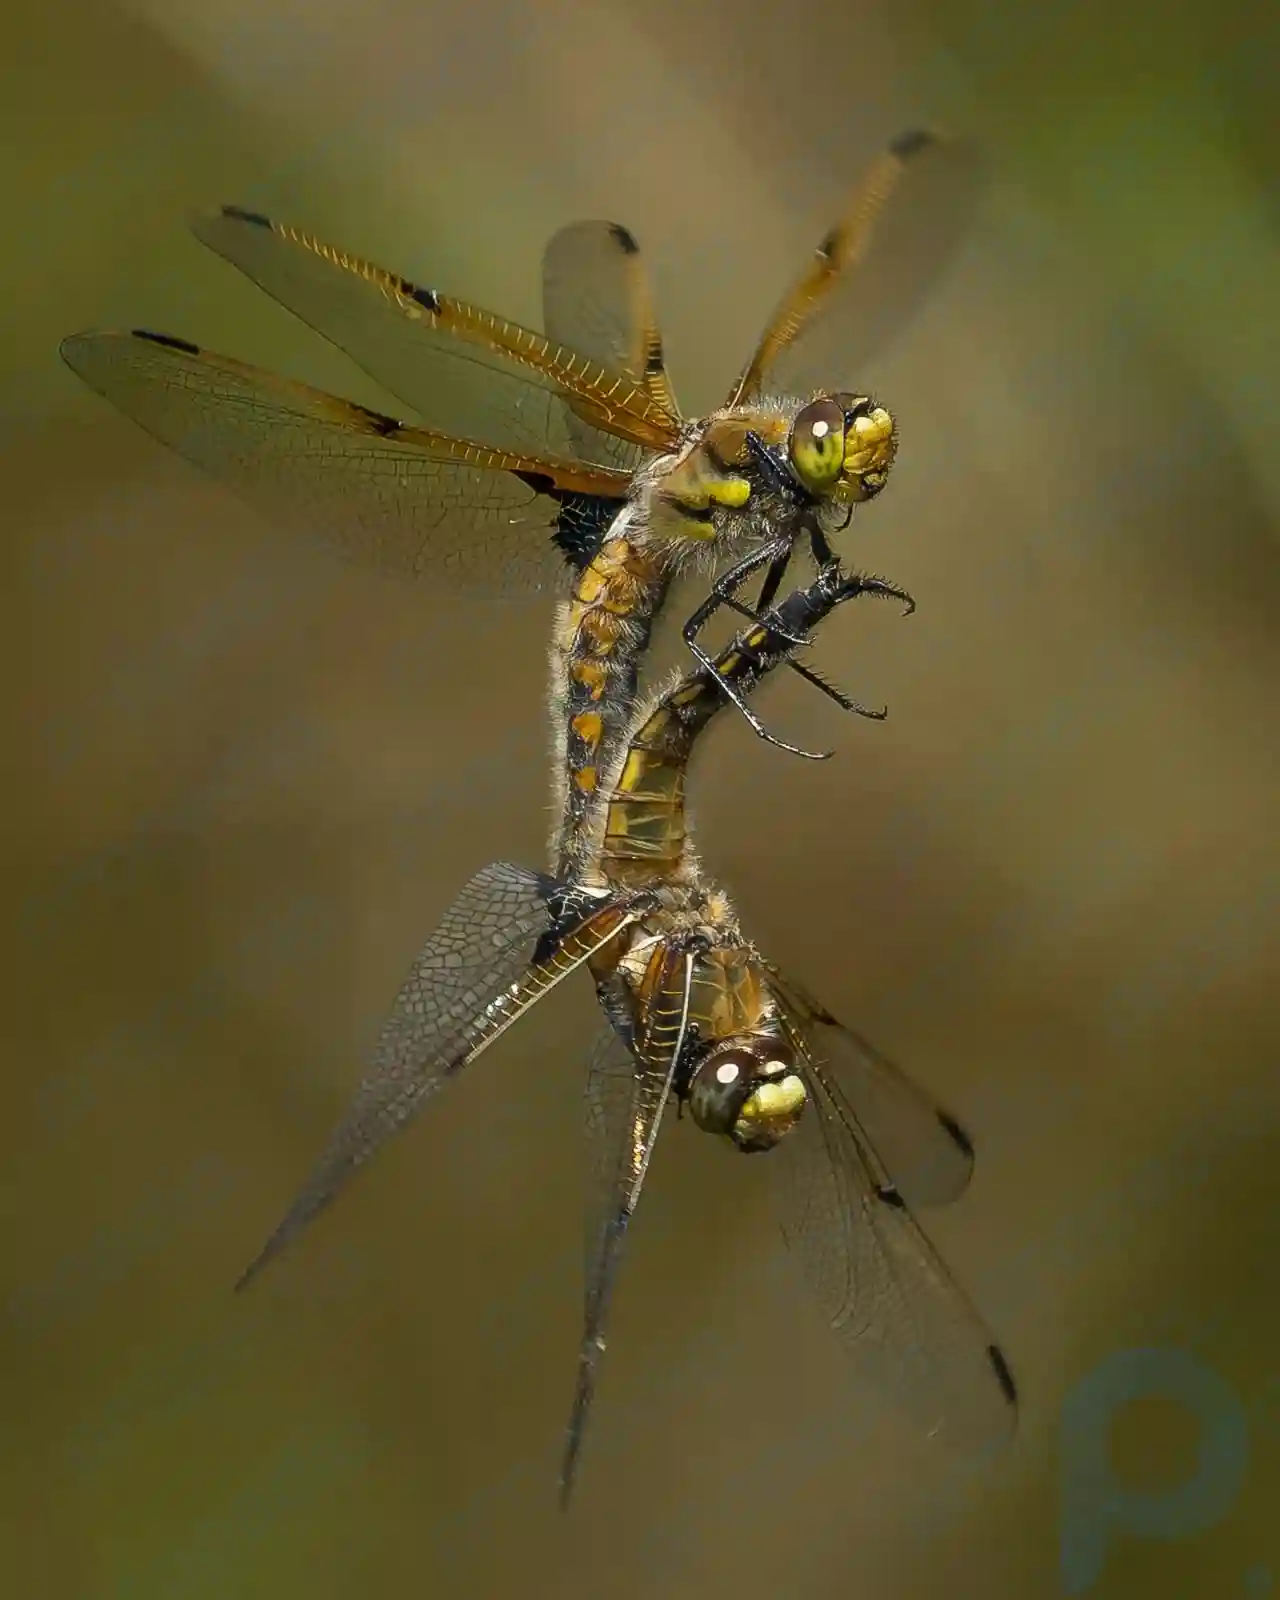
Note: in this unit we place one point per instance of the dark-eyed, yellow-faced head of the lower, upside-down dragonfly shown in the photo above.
(748, 1089)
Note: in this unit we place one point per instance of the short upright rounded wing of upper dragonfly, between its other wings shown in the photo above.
(598, 302)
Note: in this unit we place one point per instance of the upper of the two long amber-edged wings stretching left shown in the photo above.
(463, 370)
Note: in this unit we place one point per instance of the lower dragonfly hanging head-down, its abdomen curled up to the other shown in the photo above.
(697, 1017)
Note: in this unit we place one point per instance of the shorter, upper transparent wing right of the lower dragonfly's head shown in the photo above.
(924, 1151)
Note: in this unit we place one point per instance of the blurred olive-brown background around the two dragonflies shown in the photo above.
(244, 785)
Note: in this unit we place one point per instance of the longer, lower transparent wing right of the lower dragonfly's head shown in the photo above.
(906, 1324)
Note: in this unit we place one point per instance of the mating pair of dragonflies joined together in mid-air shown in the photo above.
(562, 458)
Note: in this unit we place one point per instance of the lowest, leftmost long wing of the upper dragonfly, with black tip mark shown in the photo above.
(382, 494)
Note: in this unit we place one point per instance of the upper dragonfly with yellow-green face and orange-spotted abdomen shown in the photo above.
(561, 460)
